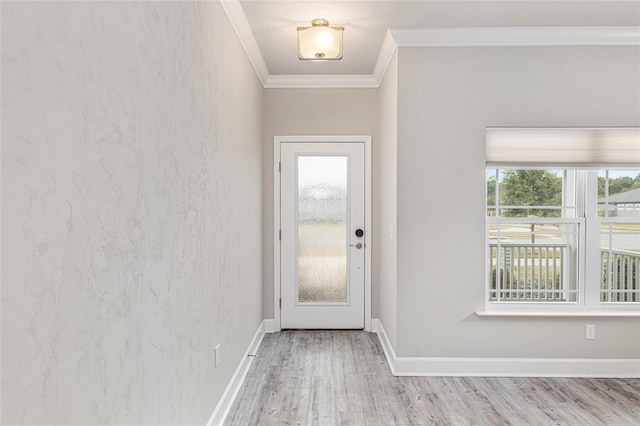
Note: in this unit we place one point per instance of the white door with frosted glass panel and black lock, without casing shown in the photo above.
(322, 219)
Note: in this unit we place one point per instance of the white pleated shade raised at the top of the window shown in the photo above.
(568, 147)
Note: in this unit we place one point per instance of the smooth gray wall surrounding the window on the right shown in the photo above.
(447, 96)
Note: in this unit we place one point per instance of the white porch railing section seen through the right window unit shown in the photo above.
(619, 276)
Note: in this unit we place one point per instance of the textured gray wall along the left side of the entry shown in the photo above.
(131, 211)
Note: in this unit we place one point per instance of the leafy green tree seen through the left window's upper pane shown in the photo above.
(531, 188)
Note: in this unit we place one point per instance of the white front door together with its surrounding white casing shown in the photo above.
(297, 262)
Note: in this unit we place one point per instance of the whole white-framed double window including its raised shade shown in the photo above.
(561, 235)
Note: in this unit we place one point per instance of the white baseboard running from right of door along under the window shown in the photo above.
(504, 367)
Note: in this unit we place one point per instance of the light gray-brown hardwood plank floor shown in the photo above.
(342, 378)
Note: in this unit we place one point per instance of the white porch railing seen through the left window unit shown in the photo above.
(526, 272)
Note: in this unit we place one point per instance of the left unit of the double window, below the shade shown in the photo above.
(534, 235)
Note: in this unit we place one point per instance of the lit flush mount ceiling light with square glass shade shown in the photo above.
(320, 42)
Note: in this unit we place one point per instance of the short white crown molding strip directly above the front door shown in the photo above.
(320, 81)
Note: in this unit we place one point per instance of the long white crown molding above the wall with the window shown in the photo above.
(516, 36)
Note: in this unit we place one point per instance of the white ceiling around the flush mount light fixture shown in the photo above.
(273, 24)
